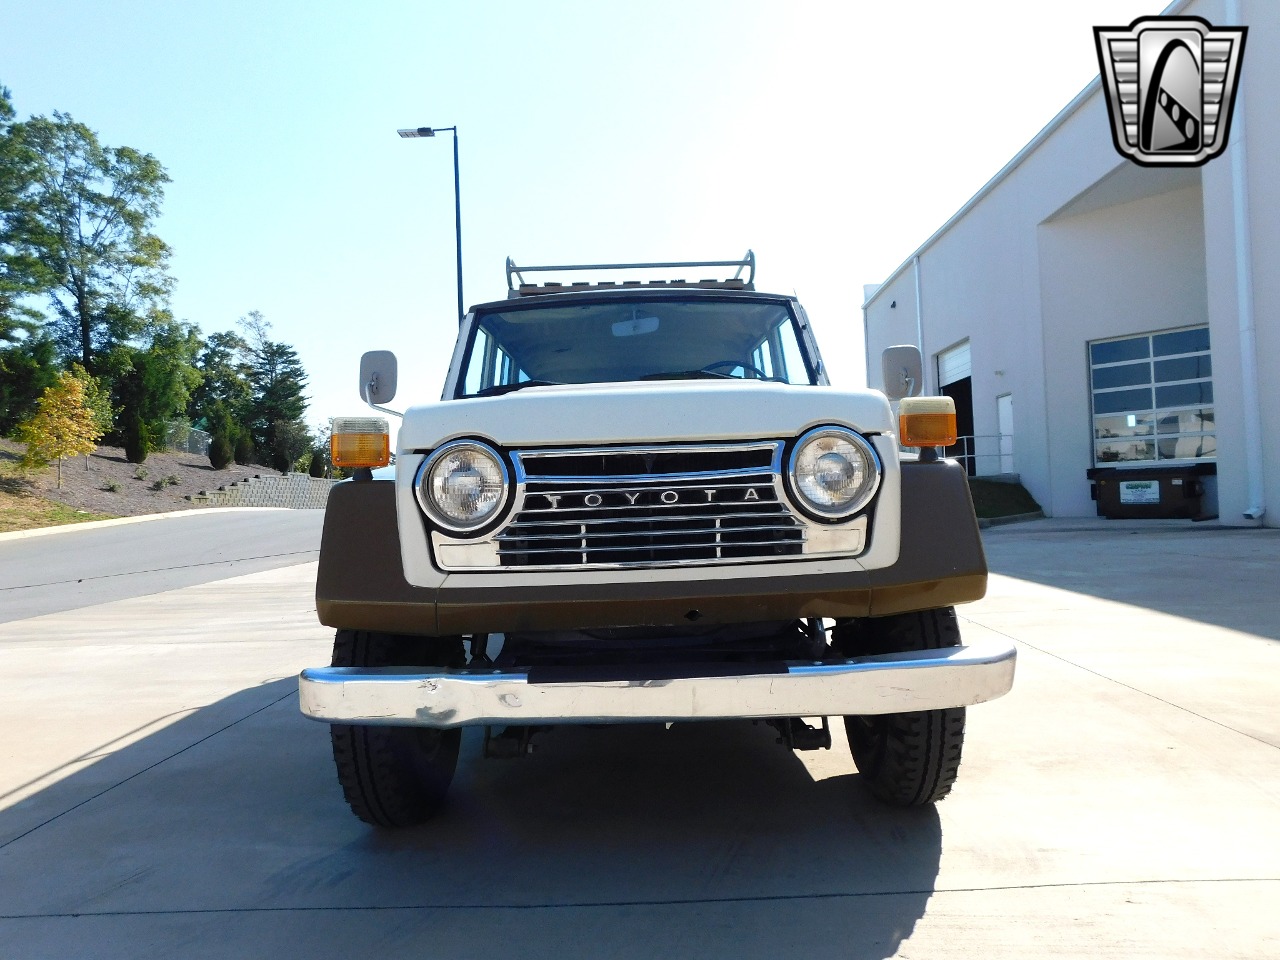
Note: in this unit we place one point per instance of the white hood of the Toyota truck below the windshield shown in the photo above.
(644, 413)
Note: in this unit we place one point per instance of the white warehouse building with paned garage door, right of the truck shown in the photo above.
(1092, 317)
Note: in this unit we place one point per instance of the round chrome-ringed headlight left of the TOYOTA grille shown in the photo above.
(463, 486)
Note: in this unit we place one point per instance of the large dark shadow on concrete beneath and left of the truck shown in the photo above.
(226, 835)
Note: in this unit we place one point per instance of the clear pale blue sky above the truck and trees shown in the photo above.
(833, 139)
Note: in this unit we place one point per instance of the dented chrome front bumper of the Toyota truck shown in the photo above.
(900, 683)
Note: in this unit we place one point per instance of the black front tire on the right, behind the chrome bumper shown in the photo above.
(906, 760)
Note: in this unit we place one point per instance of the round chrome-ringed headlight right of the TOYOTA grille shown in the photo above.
(834, 473)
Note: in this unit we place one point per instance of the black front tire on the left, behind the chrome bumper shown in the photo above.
(395, 776)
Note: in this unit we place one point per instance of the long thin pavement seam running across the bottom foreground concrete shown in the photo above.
(674, 902)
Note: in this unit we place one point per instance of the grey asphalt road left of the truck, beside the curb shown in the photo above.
(85, 565)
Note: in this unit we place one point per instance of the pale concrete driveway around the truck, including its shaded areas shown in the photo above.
(162, 797)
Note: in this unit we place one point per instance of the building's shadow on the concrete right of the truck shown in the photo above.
(1223, 577)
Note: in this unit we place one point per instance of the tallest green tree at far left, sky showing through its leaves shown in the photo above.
(85, 225)
